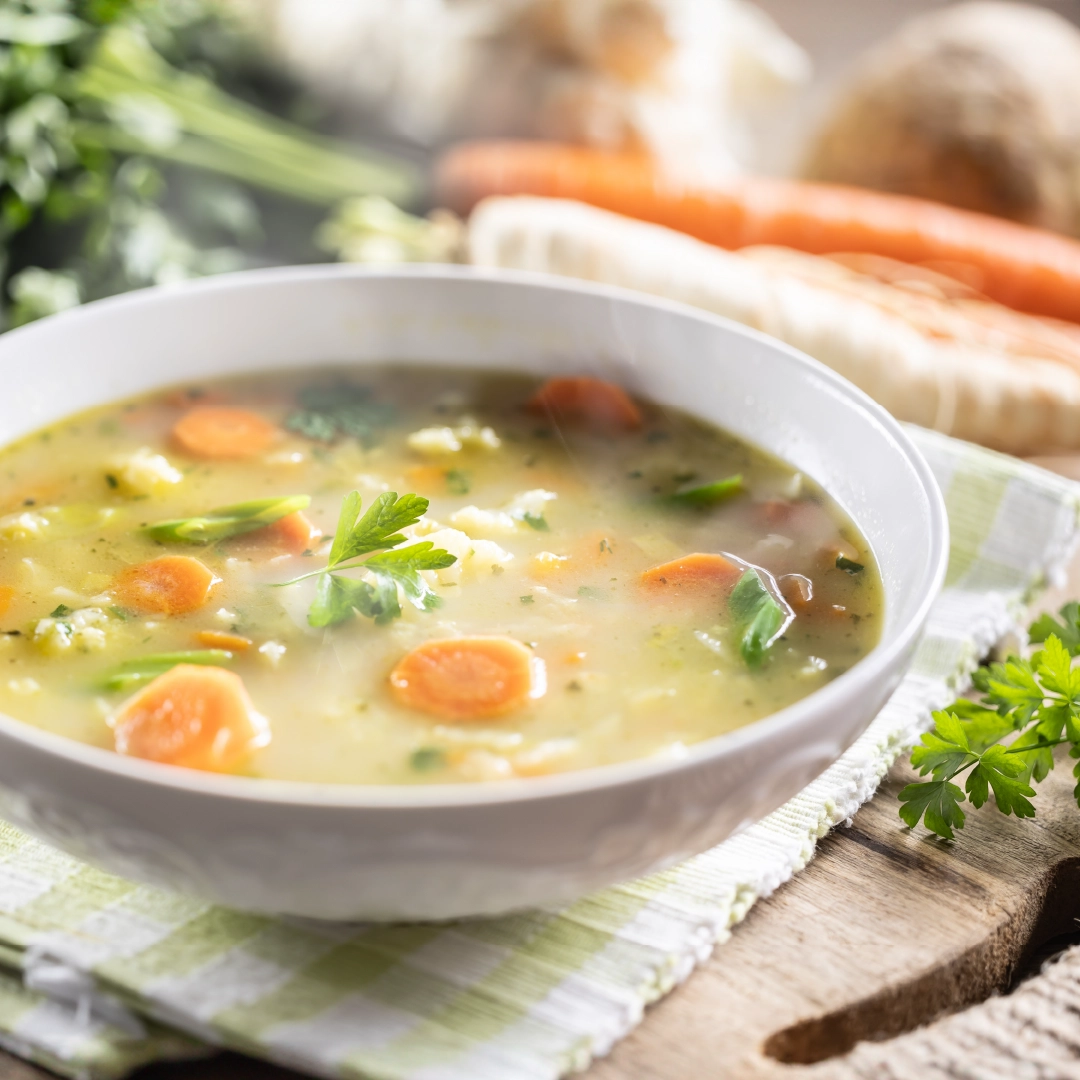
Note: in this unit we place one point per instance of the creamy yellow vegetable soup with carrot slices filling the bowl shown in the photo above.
(408, 575)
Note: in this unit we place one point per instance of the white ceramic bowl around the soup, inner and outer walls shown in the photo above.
(451, 850)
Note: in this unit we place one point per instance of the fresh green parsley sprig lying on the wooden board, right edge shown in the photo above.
(1004, 742)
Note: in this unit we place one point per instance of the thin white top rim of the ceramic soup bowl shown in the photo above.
(376, 798)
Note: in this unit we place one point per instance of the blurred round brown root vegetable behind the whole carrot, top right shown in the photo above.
(978, 106)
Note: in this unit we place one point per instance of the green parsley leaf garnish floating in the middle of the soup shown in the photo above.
(339, 599)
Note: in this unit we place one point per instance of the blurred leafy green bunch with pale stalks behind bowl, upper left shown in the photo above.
(124, 163)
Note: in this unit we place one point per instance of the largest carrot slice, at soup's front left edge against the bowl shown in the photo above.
(195, 717)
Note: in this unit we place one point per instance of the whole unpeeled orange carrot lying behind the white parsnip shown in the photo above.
(1024, 268)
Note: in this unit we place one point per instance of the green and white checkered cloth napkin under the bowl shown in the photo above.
(109, 968)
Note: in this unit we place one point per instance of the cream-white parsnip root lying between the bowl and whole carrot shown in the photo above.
(965, 367)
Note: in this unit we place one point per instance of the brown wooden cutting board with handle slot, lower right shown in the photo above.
(887, 929)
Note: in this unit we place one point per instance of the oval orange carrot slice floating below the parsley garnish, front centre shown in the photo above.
(468, 679)
